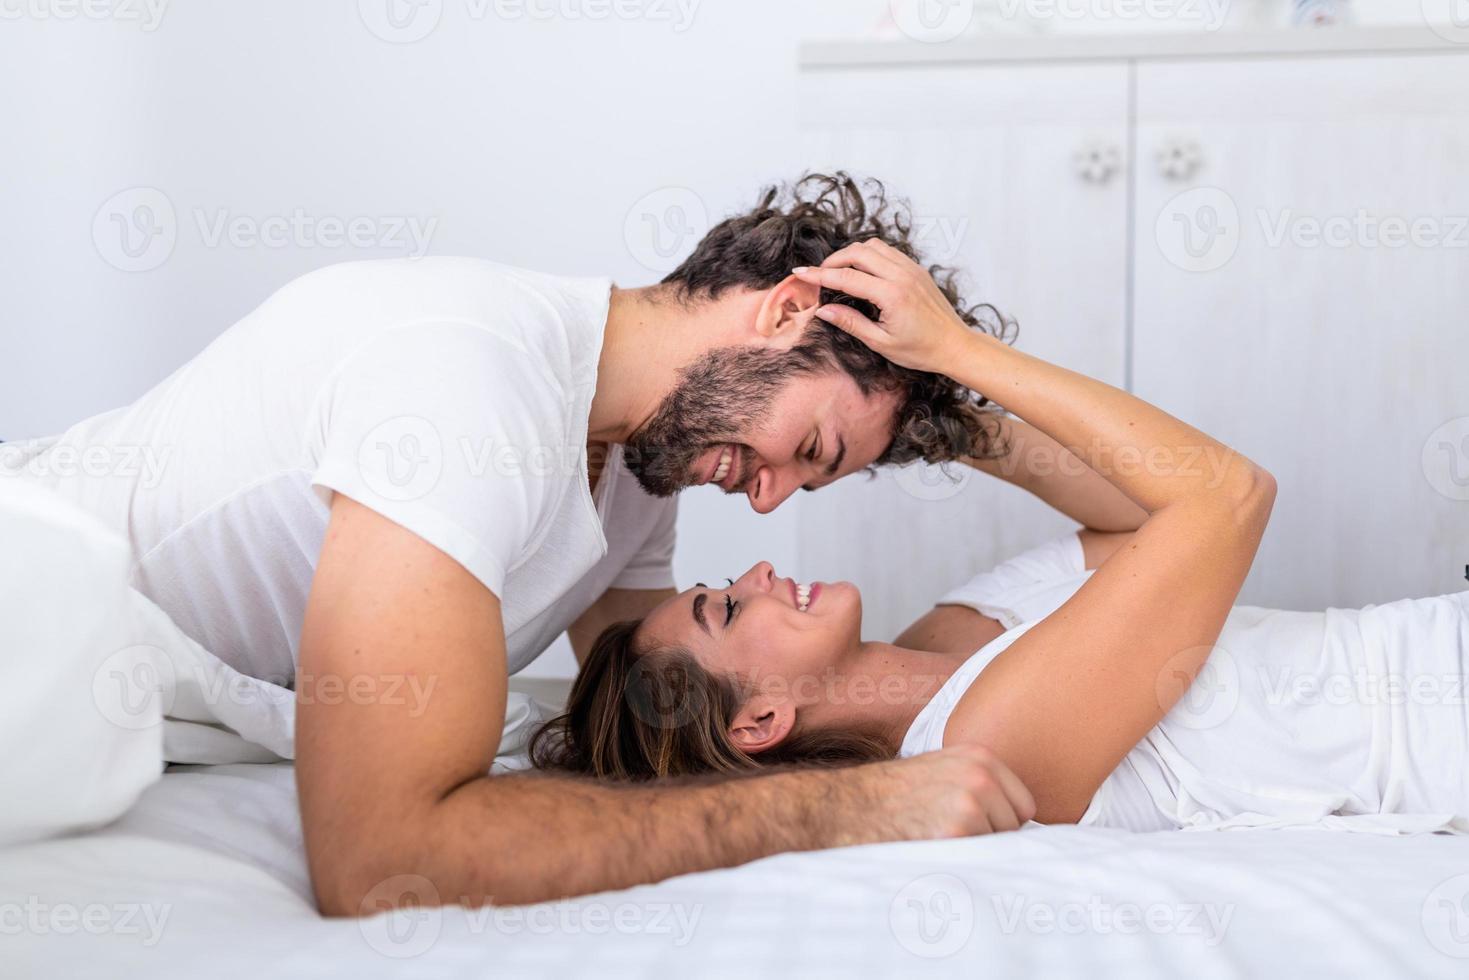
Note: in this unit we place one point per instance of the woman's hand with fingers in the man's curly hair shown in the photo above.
(917, 327)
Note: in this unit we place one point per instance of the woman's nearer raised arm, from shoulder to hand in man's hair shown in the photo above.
(1072, 697)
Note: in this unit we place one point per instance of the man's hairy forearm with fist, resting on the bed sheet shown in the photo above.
(518, 840)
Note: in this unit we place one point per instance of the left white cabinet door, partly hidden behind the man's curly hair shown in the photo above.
(988, 158)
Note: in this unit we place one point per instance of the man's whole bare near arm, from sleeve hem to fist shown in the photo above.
(400, 706)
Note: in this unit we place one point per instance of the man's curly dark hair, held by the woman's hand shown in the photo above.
(803, 224)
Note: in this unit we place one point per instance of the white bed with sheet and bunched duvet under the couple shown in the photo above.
(203, 872)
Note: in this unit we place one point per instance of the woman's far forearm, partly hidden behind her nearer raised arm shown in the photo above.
(1058, 477)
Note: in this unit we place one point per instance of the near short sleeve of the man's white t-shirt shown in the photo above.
(453, 433)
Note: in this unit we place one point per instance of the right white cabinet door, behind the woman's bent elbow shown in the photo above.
(1304, 295)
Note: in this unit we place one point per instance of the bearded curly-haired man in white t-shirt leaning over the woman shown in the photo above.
(419, 471)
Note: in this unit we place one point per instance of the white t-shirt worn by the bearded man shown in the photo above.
(450, 396)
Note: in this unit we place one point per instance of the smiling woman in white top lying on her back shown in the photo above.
(1085, 646)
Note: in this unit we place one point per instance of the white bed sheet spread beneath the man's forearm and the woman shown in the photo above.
(206, 878)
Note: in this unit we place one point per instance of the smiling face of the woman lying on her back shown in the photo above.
(765, 631)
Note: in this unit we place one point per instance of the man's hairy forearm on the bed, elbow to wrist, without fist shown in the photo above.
(531, 838)
